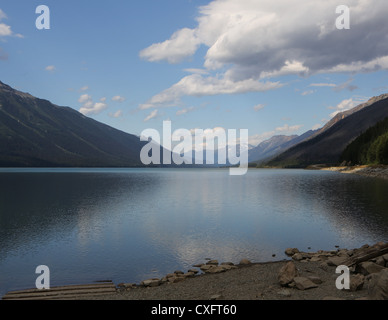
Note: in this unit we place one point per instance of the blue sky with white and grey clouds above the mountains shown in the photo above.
(275, 67)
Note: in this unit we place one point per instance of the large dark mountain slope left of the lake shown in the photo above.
(36, 133)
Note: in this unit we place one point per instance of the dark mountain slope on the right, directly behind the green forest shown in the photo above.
(327, 145)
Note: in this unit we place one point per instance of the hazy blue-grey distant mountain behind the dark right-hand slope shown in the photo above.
(274, 146)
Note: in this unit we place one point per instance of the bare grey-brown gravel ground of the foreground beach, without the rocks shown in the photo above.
(252, 282)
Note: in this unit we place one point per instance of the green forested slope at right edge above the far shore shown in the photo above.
(369, 148)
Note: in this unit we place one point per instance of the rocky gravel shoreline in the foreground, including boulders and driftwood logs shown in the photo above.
(304, 276)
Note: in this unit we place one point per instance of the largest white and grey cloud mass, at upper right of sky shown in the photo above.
(248, 41)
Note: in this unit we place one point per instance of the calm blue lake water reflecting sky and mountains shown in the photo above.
(128, 225)
